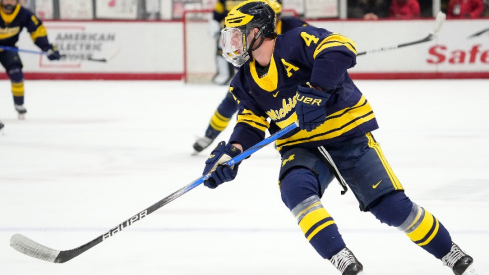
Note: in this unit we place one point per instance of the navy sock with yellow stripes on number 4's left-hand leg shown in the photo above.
(300, 194)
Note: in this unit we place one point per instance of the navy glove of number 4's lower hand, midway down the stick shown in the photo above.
(221, 173)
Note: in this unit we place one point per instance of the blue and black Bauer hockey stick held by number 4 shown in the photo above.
(31, 248)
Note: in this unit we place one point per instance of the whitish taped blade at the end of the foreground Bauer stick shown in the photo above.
(30, 248)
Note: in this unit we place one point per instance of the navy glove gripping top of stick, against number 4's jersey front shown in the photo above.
(311, 107)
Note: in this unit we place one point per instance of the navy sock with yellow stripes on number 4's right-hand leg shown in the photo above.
(396, 209)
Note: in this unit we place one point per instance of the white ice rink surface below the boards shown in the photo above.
(90, 154)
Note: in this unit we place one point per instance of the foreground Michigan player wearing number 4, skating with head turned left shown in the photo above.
(302, 76)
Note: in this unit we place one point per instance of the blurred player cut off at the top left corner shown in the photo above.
(13, 19)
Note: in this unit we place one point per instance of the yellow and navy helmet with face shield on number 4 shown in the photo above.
(239, 22)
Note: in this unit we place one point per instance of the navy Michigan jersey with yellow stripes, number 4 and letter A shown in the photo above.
(305, 54)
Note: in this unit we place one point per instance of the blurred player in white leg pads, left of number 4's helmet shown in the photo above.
(225, 71)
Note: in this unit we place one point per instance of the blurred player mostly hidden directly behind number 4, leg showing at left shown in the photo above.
(228, 107)
